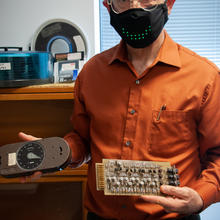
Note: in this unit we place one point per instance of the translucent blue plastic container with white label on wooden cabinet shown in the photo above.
(25, 68)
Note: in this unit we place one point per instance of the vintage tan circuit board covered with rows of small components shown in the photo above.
(130, 177)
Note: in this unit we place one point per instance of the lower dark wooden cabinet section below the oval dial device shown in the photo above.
(65, 191)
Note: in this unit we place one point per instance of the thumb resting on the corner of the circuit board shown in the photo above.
(180, 192)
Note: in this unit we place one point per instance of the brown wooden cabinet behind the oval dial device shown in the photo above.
(42, 111)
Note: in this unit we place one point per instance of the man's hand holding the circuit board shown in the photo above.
(182, 200)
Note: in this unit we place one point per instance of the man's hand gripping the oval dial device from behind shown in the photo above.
(36, 175)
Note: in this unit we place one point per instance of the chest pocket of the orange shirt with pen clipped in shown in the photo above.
(170, 133)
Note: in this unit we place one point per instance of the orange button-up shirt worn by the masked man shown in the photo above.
(116, 115)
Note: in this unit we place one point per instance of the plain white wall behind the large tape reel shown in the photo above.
(20, 19)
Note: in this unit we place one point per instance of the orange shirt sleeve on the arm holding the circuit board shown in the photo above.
(208, 183)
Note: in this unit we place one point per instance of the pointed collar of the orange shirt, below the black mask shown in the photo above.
(168, 54)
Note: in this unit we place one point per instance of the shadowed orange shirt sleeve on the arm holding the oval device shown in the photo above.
(78, 138)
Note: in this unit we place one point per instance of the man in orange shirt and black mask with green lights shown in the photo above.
(149, 99)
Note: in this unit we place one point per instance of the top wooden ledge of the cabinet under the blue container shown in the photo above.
(38, 92)
